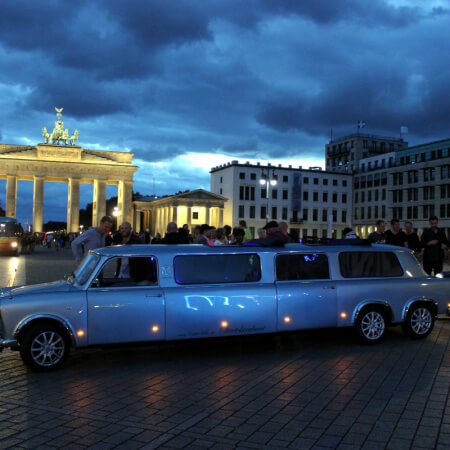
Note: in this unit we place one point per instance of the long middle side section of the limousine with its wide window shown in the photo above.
(219, 295)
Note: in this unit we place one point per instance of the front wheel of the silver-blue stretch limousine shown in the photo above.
(44, 347)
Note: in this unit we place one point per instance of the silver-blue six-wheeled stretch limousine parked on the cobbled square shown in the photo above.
(141, 293)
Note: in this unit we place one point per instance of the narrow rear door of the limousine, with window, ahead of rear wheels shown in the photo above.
(306, 295)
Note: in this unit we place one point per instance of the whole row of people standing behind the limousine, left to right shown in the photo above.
(433, 240)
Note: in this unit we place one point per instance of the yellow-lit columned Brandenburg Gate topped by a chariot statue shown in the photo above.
(71, 164)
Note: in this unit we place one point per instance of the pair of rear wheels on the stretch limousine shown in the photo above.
(371, 323)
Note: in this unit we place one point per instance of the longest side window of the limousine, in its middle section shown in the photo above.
(207, 269)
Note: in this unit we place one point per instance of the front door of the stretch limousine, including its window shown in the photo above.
(126, 309)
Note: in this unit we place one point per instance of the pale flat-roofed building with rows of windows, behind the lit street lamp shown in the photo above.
(312, 201)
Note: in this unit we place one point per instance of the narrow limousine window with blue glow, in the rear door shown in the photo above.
(302, 266)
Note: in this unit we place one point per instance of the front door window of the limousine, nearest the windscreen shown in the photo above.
(122, 272)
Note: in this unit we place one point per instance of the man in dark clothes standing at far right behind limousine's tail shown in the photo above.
(434, 242)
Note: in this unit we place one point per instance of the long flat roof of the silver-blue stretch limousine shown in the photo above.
(145, 249)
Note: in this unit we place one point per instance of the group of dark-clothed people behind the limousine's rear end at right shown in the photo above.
(433, 241)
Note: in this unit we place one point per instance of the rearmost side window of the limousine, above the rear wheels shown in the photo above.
(369, 264)
